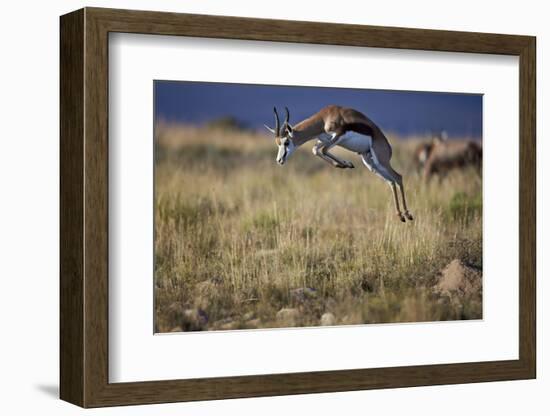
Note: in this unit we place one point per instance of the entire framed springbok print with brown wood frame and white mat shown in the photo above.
(256, 207)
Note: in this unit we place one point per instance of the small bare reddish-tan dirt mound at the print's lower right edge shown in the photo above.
(458, 279)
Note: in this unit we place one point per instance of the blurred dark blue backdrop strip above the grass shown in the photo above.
(403, 113)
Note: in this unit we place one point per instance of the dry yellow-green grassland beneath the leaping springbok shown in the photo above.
(241, 242)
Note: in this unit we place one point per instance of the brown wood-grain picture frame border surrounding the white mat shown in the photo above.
(84, 207)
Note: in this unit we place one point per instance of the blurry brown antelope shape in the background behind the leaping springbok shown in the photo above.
(442, 156)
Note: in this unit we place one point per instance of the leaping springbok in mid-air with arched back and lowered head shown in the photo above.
(348, 128)
